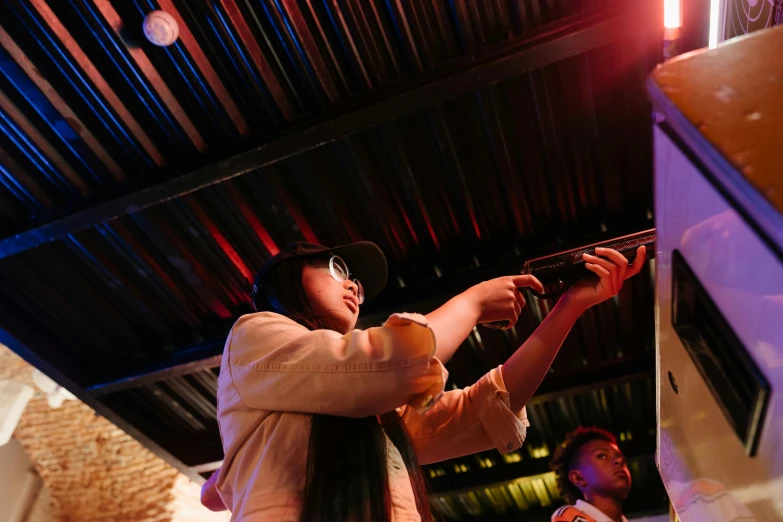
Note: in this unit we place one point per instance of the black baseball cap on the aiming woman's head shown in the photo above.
(364, 259)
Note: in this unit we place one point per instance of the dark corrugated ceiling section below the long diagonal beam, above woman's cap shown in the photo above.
(494, 175)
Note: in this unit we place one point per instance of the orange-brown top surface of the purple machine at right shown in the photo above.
(734, 96)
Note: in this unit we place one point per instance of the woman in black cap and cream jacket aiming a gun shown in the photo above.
(321, 422)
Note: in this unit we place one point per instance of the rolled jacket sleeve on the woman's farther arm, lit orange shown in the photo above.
(468, 421)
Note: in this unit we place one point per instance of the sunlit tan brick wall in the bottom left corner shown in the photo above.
(94, 470)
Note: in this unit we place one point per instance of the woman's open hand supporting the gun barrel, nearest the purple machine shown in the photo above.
(612, 270)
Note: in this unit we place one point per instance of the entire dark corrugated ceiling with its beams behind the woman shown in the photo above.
(140, 187)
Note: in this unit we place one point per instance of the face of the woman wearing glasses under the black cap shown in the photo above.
(329, 297)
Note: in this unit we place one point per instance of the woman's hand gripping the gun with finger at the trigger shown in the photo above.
(499, 299)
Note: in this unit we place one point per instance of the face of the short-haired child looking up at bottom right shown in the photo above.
(603, 470)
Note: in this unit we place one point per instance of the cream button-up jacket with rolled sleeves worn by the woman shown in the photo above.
(276, 373)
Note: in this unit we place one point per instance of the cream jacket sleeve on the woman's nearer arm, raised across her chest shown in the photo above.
(277, 364)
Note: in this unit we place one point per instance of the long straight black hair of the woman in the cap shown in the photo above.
(347, 477)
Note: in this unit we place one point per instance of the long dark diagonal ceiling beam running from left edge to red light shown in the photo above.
(554, 42)
